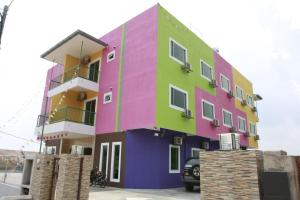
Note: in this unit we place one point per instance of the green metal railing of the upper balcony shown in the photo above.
(74, 72)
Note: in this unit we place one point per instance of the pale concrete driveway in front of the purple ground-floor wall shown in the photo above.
(142, 194)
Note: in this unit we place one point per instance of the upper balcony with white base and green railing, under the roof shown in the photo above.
(79, 78)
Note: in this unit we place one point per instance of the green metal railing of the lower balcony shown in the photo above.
(69, 114)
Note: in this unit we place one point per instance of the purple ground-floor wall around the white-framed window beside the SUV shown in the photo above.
(147, 159)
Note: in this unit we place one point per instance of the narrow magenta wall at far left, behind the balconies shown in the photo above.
(51, 74)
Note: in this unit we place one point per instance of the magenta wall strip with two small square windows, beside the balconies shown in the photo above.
(109, 74)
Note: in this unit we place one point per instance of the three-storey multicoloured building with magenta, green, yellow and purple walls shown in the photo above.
(142, 99)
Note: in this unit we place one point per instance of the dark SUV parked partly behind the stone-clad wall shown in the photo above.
(191, 174)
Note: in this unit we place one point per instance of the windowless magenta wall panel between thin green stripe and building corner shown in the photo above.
(138, 103)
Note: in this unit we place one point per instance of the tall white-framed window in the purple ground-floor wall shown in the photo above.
(174, 159)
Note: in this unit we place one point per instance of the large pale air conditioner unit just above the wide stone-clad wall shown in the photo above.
(229, 141)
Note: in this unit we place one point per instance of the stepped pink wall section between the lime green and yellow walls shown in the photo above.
(221, 101)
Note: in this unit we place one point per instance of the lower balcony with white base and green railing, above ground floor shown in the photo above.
(68, 121)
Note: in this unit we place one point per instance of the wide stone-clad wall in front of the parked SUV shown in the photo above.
(229, 175)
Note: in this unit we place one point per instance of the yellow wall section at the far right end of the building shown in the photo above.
(247, 88)
